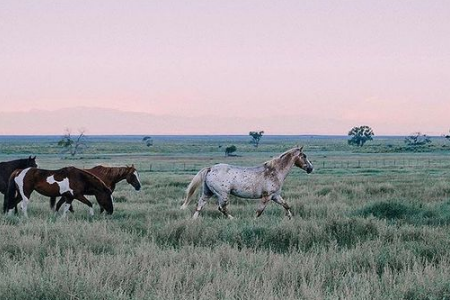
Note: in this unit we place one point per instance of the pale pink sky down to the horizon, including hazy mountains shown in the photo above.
(224, 67)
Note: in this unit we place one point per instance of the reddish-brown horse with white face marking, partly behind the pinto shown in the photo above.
(110, 176)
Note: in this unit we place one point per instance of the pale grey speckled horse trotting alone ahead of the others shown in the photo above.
(261, 182)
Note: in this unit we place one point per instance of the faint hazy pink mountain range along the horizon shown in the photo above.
(104, 121)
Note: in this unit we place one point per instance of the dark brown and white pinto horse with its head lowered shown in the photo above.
(70, 182)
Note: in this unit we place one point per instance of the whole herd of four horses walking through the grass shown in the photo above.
(19, 178)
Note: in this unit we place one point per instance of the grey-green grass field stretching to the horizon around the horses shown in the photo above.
(370, 223)
